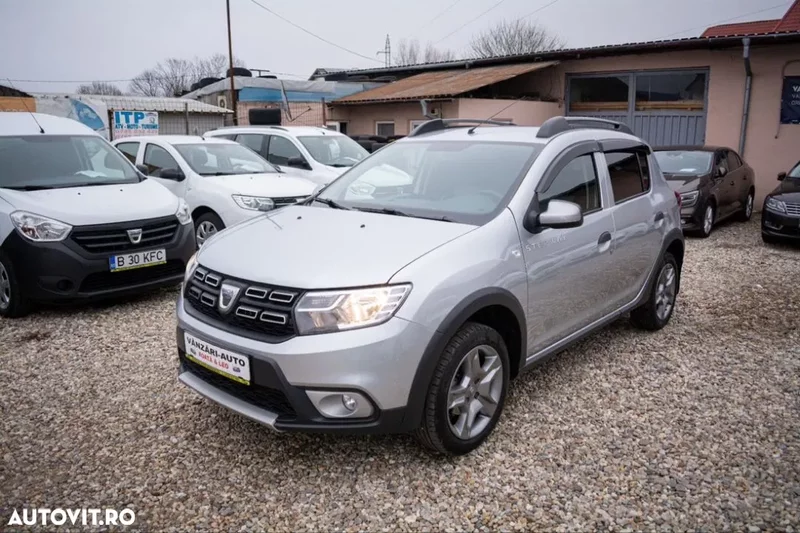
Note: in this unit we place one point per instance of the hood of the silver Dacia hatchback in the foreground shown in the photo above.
(321, 248)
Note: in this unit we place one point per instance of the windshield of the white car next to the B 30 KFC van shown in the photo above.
(223, 159)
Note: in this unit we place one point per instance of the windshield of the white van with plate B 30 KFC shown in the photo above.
(32, 162)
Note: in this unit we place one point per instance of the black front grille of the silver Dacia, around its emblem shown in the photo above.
(263, 312)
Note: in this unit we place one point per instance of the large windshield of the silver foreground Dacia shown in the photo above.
(468, 182)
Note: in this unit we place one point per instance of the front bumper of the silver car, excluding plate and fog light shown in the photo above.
(379, 363)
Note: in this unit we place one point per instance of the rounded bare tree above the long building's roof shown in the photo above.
(514, 37)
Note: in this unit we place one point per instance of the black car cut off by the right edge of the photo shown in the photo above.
(780, 220)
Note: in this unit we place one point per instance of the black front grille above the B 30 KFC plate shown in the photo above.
(113, 238)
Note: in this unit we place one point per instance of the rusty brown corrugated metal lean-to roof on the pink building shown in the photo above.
(442, 84)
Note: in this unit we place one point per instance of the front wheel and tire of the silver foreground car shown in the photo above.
(467, 372)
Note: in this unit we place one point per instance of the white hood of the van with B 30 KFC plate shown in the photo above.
(101, 204)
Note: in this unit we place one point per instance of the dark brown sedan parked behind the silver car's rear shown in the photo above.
(714, 184)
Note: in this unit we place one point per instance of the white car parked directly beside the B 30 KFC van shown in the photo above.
(223, 182)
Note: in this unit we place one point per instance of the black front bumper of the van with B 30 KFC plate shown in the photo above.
(64, 272)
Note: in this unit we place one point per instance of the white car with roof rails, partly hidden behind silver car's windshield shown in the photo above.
(317, 154)
